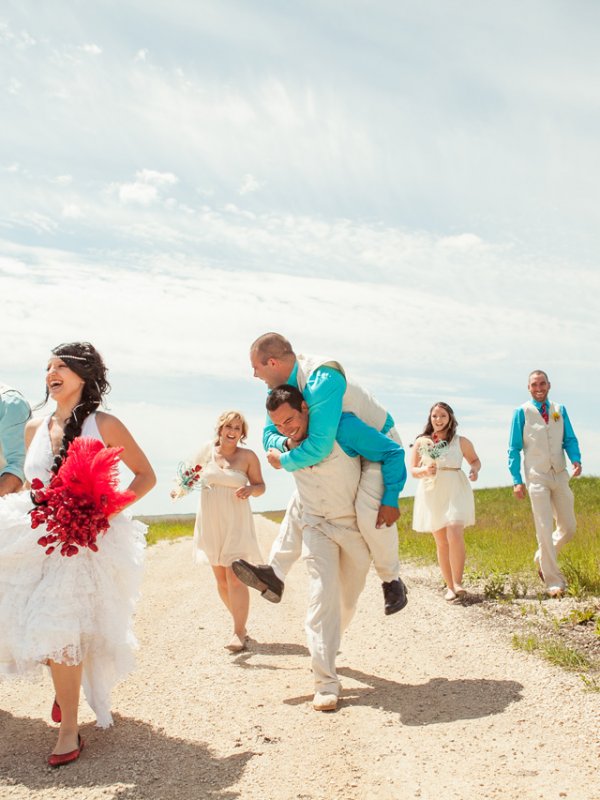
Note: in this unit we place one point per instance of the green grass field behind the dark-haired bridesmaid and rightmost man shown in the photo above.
(501, 545)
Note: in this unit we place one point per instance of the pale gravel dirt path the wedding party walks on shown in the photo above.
(436, 704)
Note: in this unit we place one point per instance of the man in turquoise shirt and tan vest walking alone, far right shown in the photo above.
(543, 431)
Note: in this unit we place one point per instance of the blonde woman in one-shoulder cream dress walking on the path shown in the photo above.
(224, 528)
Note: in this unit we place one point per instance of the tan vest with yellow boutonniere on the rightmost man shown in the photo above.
(543, 444)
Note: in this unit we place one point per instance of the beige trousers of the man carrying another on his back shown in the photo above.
(338, 560)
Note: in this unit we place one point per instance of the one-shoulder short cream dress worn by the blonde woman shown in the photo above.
(224, 529)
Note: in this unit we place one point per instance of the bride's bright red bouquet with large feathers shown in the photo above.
(76, 504)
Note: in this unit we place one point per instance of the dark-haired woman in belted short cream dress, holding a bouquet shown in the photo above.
(444, 502)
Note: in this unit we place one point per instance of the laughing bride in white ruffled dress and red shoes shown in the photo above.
(73, 614)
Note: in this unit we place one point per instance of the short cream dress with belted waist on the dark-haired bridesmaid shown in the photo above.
(446, 497)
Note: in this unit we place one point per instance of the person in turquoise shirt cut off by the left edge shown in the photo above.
(14, 413)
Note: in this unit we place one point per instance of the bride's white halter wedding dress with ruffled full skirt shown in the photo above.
(67, 609)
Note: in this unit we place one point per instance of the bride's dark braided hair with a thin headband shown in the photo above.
(84, 360)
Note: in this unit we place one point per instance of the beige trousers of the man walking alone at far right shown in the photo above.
(552, 499)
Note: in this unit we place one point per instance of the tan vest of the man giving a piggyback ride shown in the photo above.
(328, 489)
